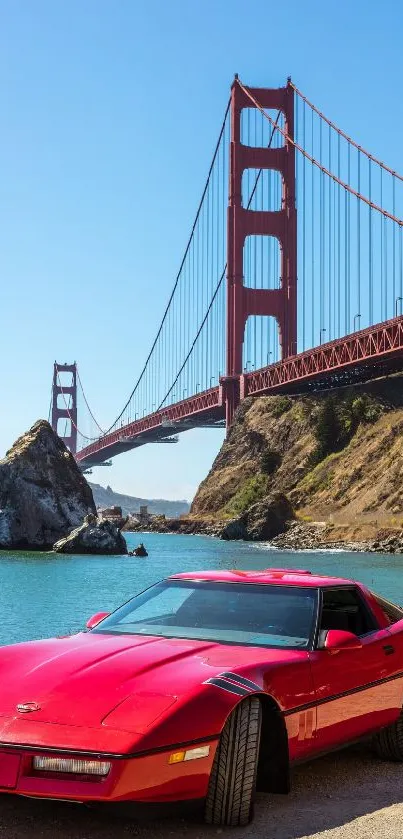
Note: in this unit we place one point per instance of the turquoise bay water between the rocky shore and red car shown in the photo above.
(48, 594)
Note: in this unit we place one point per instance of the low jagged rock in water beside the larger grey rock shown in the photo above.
(94, 536)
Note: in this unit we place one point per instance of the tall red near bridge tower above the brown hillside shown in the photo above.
(244, 302)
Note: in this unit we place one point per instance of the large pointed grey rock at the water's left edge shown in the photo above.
(43, 494)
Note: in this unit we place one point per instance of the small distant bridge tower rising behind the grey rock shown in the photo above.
(64, 411)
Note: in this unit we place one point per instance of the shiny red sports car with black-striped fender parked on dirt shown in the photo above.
(203, 688)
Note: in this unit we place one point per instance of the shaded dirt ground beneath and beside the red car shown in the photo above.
(348, 795)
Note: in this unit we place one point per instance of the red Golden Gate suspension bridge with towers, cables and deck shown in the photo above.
(291, 280)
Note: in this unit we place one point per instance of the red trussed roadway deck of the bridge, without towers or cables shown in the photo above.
(369, 353)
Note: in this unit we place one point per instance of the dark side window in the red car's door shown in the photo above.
(344, 609)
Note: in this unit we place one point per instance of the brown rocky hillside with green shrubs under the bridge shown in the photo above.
(337, 456)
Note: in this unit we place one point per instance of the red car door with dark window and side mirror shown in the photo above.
(357, 690)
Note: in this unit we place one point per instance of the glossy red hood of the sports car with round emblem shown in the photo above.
(81, 680)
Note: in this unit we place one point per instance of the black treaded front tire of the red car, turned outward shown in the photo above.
(232, 785)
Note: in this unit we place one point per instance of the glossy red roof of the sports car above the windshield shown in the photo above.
(268, 576)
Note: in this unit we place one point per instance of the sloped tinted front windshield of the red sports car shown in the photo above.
(228, 613)
